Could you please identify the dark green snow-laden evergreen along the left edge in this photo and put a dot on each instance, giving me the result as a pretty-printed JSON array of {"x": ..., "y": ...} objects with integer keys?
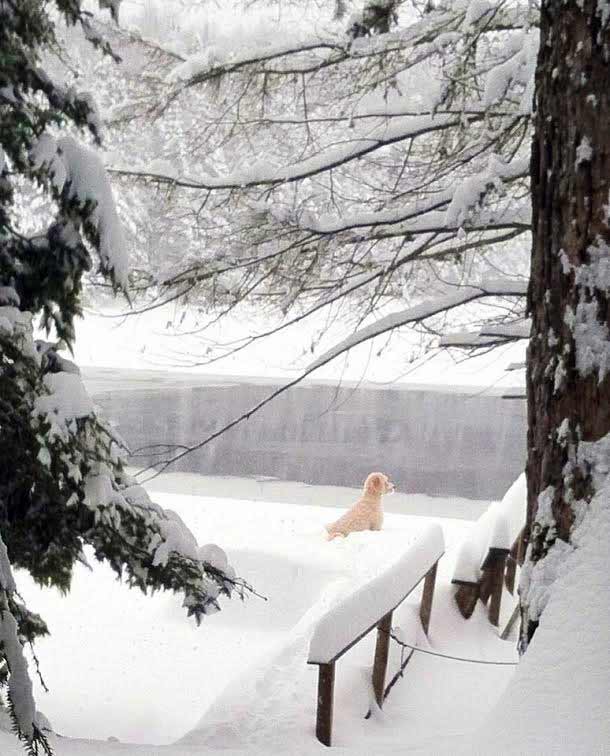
[{"x": 62, "y": 480}]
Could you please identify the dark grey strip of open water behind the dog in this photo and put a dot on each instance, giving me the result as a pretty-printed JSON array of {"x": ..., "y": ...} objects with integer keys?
[{"x": 428, "y": 441}]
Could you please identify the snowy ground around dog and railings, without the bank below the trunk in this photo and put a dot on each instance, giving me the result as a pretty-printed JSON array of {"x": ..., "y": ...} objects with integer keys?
[{"x": 121, "y": 665}]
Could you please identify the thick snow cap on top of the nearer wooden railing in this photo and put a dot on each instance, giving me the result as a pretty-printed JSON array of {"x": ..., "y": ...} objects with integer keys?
[{"x": 360, "y": 611}]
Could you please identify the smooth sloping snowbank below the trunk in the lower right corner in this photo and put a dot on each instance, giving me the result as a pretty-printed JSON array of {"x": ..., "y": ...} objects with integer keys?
[{"x": 557, "y": 701}]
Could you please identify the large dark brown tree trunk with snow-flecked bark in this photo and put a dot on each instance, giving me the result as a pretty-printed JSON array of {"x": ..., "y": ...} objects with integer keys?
[{"x": 568, "y": 377}]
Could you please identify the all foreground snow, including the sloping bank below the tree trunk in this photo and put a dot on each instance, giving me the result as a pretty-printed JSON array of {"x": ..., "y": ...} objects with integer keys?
[{"x": 128, "y": 667}]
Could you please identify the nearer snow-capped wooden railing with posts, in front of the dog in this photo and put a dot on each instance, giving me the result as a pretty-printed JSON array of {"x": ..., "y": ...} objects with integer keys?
[{"x": 372, "y": 606}]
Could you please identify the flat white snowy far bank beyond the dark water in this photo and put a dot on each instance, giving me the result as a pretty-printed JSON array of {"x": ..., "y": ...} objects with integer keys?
[{"x": 150, "y": 341}]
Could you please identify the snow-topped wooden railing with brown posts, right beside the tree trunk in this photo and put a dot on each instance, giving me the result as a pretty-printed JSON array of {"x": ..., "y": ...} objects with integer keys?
[{"x": 488, "y": 557}]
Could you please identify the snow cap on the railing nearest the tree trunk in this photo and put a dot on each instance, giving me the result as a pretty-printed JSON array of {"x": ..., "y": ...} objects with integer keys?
[{"x": 498, "y": 527}]
